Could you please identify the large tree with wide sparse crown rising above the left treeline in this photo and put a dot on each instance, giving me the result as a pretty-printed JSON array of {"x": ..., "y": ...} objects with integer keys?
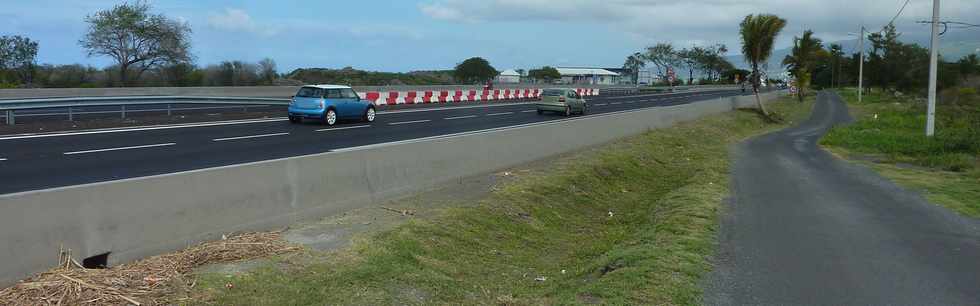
[{"x": 136, "y": 39}]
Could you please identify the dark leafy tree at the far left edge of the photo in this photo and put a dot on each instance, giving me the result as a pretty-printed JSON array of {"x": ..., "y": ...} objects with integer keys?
[{"x": 18, "y": 54}]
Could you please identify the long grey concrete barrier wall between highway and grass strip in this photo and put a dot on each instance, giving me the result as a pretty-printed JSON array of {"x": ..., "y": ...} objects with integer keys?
[{"x": 141, "y": 217}]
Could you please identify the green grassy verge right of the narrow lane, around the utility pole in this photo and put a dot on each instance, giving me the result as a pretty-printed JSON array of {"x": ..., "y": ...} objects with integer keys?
[{"x": 891, "y": 131}]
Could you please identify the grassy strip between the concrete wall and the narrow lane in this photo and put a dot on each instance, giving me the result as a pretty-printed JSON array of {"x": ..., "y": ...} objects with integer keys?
[{"x": 633, "y": 222}]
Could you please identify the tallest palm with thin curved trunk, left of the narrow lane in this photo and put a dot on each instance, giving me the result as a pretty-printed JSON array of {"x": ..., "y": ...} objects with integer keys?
[{"x": 758, "y": 35}]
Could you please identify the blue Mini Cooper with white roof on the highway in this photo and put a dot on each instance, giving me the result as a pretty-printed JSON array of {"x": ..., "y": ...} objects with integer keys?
[{"x": 329, "y": 103}]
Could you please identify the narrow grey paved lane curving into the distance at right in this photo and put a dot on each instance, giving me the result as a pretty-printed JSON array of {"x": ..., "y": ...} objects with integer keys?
[{"x": 805, "y": 228}]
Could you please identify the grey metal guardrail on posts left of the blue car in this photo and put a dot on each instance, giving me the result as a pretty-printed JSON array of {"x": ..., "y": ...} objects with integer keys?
[{"x": 10, "y": 107}]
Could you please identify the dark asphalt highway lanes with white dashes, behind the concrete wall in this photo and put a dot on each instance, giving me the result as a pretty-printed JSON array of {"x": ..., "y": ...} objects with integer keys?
[{"x": 32, "y": 162}]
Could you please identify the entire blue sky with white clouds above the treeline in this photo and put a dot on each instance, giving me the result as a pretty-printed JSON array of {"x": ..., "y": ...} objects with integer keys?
[{"x": 436, "y": 34}]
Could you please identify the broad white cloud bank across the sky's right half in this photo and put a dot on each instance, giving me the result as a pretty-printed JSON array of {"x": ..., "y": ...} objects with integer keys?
[{"x": 686, "y": 22}]
